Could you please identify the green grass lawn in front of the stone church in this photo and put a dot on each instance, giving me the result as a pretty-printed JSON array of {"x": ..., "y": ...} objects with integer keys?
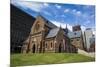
[{"x": 47, "y": 58}]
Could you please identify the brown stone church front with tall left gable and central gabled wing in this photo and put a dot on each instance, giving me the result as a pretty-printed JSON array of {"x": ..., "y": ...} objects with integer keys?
[{"x": 47, "y": 37}]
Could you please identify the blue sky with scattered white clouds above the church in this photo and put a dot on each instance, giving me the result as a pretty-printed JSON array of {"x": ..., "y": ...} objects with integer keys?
[{"x": 61, "y": 14}]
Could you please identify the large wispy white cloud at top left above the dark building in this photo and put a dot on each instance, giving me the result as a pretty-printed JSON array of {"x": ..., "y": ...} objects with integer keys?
[{"x": 27, "y": 4}]
